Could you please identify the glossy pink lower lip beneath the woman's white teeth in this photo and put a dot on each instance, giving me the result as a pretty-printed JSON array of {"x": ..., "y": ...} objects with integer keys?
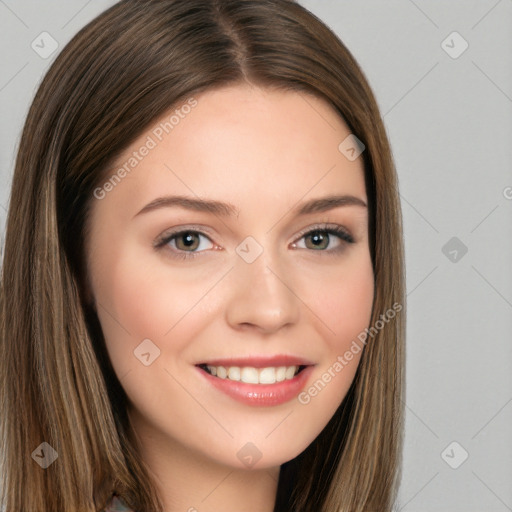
[{"x": 261, "y": 394}]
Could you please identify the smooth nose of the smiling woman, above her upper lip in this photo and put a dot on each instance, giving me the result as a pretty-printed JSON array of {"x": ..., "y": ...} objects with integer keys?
[{"x": 262, "y": 296}]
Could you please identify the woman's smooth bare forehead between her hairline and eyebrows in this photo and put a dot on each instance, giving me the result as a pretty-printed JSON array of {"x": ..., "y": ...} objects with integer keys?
[{"x": 249, "y": 146}]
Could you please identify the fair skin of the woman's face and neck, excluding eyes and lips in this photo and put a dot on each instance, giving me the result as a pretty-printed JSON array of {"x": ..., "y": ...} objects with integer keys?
[{"x": 264, "y": 151}]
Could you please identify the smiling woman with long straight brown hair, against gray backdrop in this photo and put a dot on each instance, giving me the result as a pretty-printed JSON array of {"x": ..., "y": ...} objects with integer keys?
[{"x": 202, "y": 288}]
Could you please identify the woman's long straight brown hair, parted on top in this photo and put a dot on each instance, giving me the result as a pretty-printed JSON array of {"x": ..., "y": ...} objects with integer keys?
[{"x": 118, "y": 75}]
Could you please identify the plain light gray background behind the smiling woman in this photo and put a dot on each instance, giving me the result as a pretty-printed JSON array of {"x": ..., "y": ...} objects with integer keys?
[{"x": 450, "y": 125}]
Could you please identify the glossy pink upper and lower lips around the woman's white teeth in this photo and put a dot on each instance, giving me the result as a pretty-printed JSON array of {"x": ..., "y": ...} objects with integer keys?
[{"x": 260, "y": 394}]
